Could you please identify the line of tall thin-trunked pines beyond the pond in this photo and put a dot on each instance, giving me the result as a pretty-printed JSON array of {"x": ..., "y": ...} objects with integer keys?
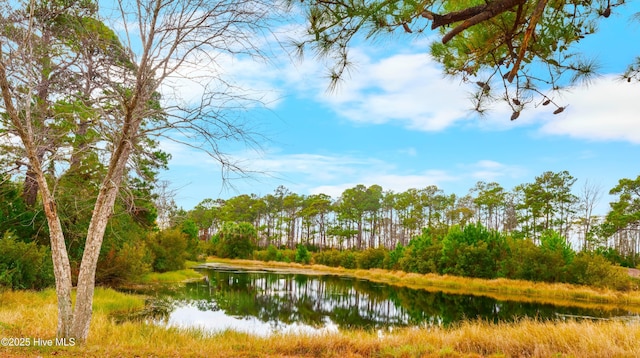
[{"x": 371, "y": 217}]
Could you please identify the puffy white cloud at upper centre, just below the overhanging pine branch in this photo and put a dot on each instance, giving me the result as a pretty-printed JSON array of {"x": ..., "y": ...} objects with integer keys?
[{"x": 404, "y": 88}]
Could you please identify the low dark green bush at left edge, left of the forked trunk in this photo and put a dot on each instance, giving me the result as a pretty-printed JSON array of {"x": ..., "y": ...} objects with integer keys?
[{"x": 24, "y": 265}]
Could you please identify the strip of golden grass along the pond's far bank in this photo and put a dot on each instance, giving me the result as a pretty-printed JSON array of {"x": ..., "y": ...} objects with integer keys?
[{"x": 500, "y": 289}]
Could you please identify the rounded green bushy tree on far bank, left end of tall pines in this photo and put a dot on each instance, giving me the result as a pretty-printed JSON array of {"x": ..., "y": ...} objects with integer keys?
[{"x": 236, "y": 240}]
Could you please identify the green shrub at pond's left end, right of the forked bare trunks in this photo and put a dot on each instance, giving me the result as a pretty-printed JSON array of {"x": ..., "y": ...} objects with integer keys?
[{"x": 168, "y": 248}]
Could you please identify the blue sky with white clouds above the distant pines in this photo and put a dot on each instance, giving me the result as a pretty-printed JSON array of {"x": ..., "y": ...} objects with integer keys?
[{"x": 396, "y": 121}]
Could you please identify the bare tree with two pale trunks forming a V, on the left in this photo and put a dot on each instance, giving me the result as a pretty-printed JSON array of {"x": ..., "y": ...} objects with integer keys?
[{"x": 123, "y": 73}]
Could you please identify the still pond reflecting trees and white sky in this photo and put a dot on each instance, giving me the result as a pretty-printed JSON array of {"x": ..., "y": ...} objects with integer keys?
[{"x": 265, "y": 302}]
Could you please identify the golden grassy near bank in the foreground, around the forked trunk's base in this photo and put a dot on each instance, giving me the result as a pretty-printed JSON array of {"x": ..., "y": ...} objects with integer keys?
[{"x": 33, "y": 315}]
